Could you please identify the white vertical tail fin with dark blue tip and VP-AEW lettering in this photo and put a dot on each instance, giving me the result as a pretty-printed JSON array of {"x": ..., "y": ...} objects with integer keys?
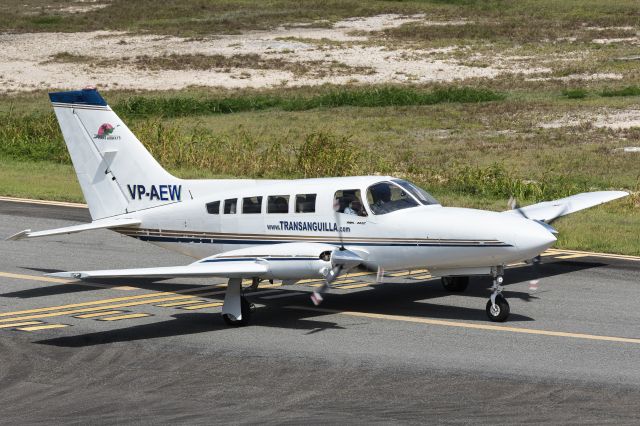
[{"x": 117, "y": 174}]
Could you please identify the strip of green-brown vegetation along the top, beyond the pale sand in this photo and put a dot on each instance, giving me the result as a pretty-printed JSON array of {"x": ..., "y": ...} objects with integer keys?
[{"x": 499, "y": 18}]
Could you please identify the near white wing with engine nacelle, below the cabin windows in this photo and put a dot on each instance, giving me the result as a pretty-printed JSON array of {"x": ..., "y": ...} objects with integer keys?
[{"x": 273, "y": 261}]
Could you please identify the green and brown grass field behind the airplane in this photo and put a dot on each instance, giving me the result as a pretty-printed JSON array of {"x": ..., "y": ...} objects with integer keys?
[{"x": 473, "y": 142}]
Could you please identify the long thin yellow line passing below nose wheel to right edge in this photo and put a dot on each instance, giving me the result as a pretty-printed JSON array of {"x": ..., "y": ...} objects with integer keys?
[{"x": 471, "y": 325}]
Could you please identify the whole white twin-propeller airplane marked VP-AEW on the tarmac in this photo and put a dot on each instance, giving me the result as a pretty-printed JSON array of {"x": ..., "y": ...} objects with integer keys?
[{"x": 288, "y": 229}]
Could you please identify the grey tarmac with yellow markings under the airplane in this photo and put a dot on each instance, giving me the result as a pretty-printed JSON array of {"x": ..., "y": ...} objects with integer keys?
[{"x": 403, "y": 351}]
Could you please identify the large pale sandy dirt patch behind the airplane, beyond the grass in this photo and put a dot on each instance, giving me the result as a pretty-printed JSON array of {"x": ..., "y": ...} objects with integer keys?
[{"x": 287, "y": 56}]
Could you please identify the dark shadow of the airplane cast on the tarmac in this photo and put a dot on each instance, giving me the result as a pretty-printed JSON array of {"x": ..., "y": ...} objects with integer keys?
[{"x": 403, "y": 299}]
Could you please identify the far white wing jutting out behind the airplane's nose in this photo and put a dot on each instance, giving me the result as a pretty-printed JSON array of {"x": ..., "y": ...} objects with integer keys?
[{"x": 551, "y": 210}]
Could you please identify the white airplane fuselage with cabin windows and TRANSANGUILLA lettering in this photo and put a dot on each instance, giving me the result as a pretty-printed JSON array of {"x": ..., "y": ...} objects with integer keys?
[{"x": 218, "y": 220}]
